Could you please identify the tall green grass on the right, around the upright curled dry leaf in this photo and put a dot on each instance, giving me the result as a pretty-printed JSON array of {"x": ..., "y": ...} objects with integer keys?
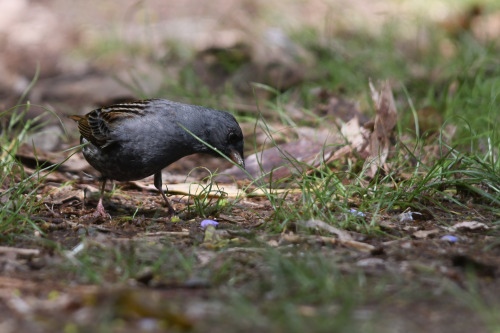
[{"x": 465, "y": 94}]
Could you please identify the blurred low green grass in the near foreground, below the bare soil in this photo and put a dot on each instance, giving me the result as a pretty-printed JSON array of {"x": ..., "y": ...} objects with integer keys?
[{"x": 267, "y": 289}]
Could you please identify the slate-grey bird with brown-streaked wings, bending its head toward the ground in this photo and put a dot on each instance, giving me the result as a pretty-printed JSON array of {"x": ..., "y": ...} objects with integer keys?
[{"x": 134, "y": 140}]
